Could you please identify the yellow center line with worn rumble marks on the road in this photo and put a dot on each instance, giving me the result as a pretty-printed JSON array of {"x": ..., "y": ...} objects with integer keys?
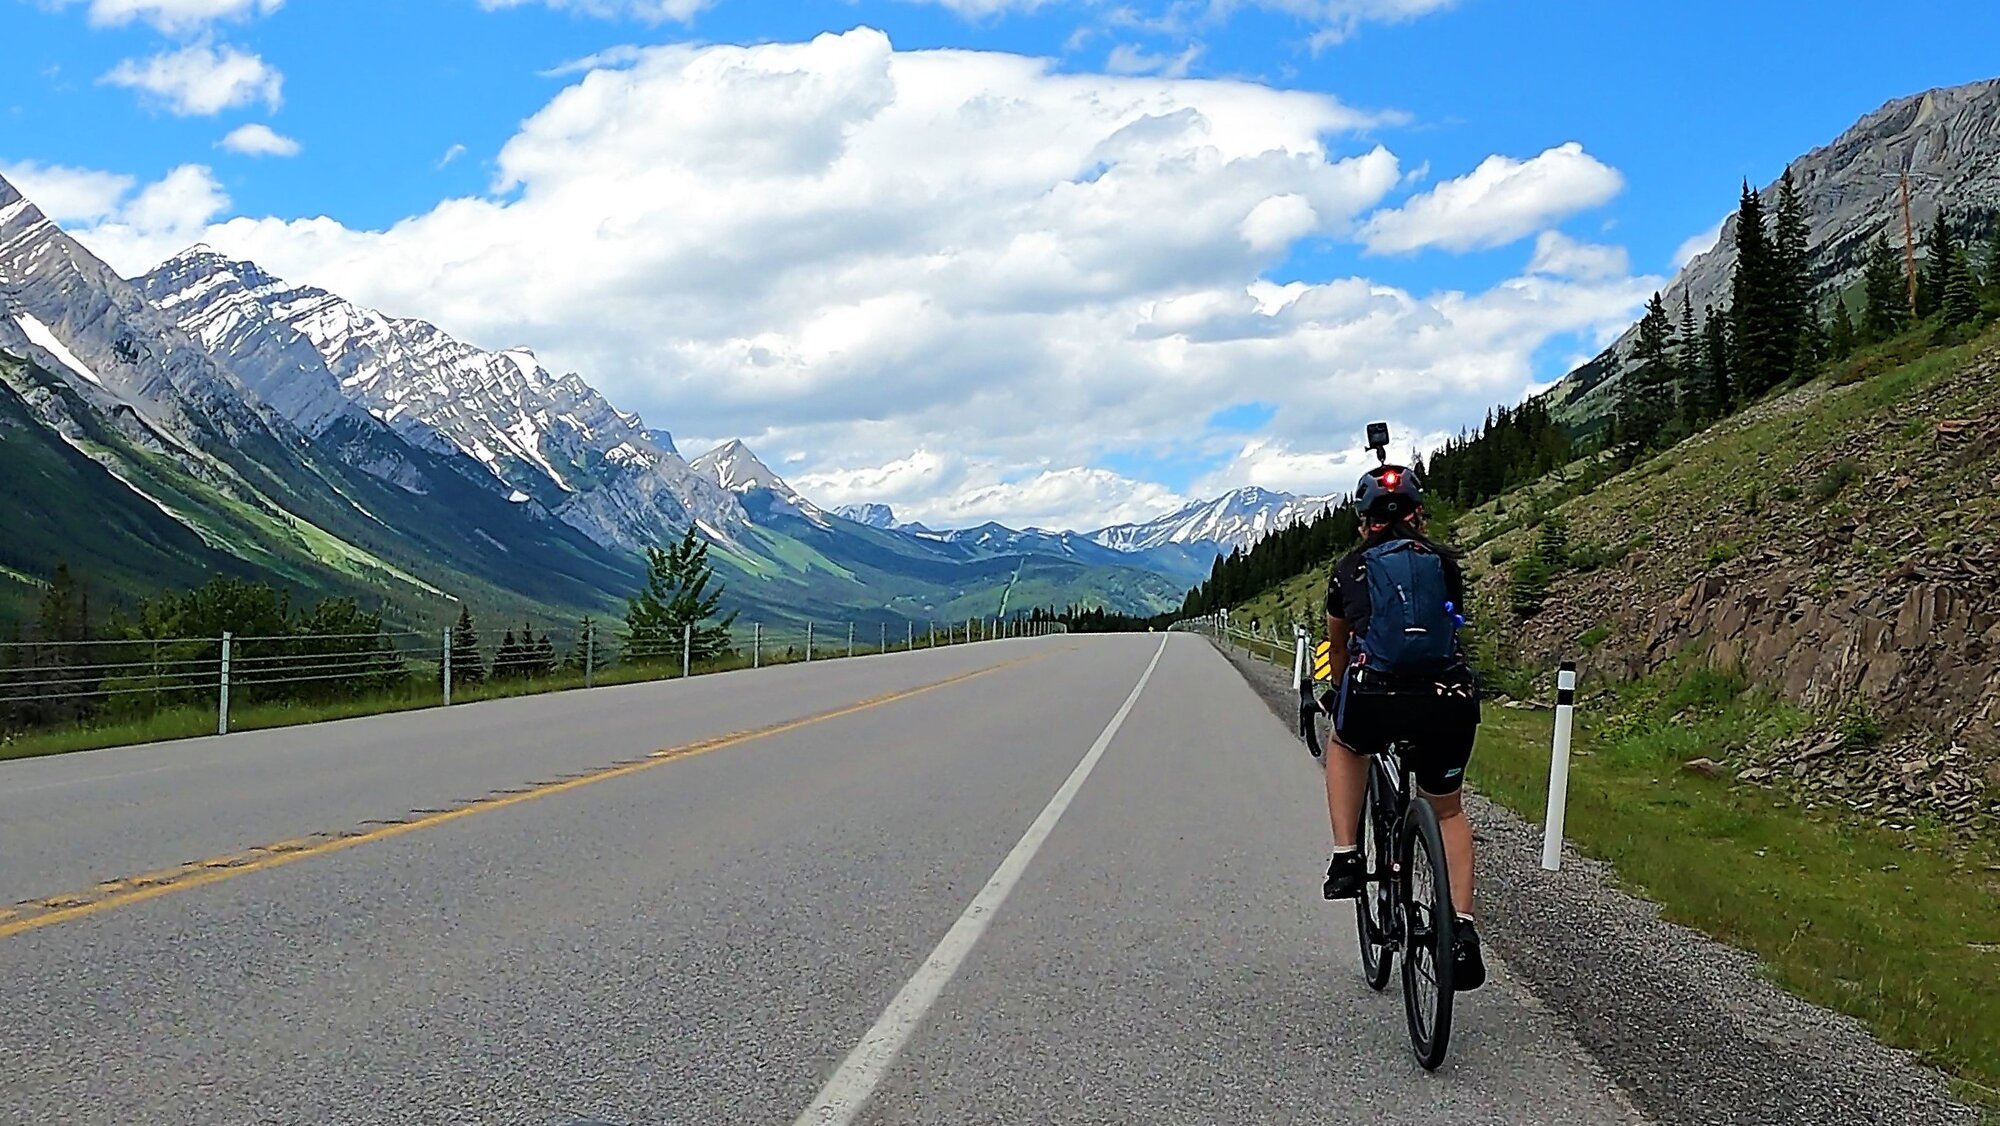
[{"x": 109, "y": 895}]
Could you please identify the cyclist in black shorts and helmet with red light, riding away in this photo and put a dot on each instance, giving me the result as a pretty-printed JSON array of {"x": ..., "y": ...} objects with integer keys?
[{"x": 1433, "y": 713}]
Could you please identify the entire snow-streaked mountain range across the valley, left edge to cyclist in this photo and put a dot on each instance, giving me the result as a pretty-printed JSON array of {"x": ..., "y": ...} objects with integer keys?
[{"x": 211, "y": 419}]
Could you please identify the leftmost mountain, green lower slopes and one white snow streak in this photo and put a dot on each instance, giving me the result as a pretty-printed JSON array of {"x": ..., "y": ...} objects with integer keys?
[{"x": 155, "y": 461}]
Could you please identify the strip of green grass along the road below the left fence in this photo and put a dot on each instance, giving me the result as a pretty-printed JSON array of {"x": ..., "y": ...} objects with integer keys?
[{"x": 195, "y": 721}]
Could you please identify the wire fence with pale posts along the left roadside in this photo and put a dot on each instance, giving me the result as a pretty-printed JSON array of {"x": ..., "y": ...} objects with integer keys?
[{"x": 101, "y": 683}]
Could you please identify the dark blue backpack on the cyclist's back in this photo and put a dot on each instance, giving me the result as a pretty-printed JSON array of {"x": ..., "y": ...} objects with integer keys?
[{"x": 1411, "y": 631}]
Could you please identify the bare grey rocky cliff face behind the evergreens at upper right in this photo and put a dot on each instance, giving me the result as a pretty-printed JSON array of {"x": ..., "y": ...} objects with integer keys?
[{"x": 1947, "y": 141}]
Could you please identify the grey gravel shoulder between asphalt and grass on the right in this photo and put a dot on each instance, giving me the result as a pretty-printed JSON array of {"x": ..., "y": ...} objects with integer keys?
[{"x": 1689, "y": 1027}]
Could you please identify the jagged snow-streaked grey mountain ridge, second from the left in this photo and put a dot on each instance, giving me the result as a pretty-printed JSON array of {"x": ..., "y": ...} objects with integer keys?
[{"x": 545, "y": 439}]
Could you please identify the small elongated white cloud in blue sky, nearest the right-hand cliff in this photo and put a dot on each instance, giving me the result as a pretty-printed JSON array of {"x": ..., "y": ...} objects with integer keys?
[{"x": 1497, "y": 203}]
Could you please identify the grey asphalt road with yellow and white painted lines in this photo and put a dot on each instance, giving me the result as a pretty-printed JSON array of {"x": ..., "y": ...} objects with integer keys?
[{"x": 1029, "y": 913}]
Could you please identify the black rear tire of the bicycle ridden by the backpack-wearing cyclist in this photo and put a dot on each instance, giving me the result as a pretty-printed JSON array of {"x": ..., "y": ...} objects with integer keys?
[{"x": 1427, "y": 935}]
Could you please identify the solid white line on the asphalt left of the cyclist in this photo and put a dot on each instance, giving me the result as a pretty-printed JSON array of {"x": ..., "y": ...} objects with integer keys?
[{"x": 847, "y": 1093}]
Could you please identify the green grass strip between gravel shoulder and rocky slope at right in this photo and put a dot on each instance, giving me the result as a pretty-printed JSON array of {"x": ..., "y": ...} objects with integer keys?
[{"x": 1899, "y": 931}]
